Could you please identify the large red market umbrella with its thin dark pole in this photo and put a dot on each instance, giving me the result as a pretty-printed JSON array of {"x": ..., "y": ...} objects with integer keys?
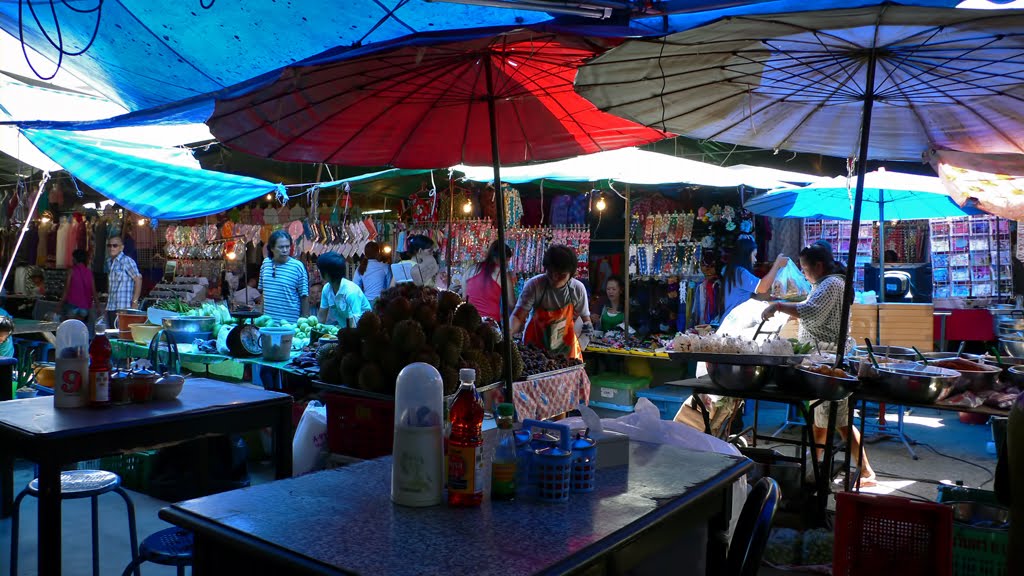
[{"x": 501, "y": 98}]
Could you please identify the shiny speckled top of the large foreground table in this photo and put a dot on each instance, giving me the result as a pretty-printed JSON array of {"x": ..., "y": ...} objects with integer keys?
[{"x": 344, "y": 520}]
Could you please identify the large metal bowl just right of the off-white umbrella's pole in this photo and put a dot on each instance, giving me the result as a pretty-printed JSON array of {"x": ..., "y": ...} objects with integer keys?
[{"x": 912, "y": 384}]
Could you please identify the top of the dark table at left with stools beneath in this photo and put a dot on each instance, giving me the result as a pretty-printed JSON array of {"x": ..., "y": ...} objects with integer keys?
[{"x": 38, "y": 418}]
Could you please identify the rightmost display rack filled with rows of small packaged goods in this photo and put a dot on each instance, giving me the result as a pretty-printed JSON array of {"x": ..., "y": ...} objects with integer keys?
[{"x": 971, "y": 258}]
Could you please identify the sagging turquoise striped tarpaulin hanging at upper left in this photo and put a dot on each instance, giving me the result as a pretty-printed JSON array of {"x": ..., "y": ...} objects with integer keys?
[{"x": 153, "y": 189}]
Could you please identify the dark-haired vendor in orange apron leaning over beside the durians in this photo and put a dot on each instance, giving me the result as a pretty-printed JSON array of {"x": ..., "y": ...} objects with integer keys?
[{"x": 552, "y": 302}]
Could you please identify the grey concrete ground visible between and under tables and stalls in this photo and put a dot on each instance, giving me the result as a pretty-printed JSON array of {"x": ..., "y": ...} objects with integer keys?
[{"x": 899, "y": 474}]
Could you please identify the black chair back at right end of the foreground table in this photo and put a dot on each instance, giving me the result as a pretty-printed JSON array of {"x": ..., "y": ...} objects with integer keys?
[{"x": 753, "y": 528}]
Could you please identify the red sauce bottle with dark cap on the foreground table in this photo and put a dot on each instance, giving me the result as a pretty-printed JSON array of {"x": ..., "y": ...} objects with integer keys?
[{"x": 465, "y": 445}]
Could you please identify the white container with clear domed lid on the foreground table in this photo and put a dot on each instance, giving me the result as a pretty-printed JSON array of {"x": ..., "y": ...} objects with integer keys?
[{"x": 417, "y": 462}]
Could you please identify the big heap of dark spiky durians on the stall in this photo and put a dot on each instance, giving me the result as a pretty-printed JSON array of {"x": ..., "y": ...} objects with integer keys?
[{"x": 416, "y": 324}]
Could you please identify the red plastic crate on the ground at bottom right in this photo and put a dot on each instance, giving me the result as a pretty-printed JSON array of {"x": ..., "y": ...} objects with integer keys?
[{"x": 891, "y": 536}]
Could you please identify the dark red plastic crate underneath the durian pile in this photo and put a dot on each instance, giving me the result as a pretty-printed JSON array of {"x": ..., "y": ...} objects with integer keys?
[{"x": 359, "y": 427}]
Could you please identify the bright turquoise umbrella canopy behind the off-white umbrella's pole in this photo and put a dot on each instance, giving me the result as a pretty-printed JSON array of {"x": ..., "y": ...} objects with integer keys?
[{"x": 901, "y": 197}]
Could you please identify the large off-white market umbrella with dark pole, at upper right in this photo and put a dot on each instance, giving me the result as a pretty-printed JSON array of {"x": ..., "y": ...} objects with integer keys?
[{"x": 819, "y": 81}]
